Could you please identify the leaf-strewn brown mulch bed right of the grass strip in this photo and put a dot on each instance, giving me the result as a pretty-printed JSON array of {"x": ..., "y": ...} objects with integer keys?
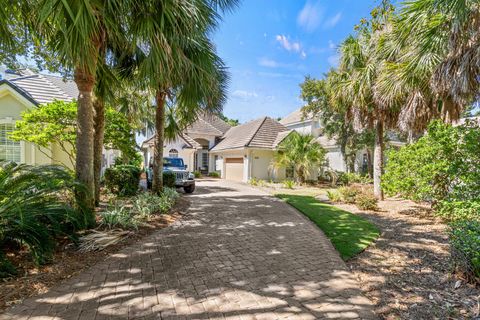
[{"x": 408, "y": 273}]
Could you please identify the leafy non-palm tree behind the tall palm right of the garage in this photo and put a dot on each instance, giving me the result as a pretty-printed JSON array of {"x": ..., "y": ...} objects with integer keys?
[{"x": 334, "y": 120}]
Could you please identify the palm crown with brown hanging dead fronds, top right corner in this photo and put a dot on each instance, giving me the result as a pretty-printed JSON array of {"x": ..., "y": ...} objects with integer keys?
[{"x": 448, "y": 32}]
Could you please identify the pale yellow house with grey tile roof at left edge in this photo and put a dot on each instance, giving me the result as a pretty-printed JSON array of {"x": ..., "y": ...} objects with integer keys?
[{"x": 21, "y": 91}]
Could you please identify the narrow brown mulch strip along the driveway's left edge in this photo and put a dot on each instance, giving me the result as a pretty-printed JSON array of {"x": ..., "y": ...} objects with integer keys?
[{"x": 68, "y": 262}]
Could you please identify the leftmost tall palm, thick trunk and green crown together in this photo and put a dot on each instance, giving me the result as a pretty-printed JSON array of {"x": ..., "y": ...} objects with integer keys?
[{"x": 75, "y": 34}]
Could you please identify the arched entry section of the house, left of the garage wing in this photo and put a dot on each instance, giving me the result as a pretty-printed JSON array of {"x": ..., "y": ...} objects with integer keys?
[{"x": 193, "y": 144}]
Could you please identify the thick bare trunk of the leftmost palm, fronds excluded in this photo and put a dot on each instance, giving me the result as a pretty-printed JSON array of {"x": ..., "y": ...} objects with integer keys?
[{"x": 85, "y": 81}]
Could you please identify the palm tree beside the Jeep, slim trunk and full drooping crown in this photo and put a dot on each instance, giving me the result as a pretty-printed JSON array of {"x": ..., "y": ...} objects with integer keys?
[{"x": 179, "y": 61}]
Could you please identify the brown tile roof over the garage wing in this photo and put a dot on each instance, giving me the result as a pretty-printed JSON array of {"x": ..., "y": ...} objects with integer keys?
[{"x": 259, "y": 133}]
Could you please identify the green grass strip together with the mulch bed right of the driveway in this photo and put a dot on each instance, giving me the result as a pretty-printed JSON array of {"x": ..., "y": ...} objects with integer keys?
[{"x": 407, "y": 272}]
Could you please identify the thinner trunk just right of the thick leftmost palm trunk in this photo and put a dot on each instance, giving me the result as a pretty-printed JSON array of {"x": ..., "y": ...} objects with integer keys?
[{"x": 99, "y": 120}]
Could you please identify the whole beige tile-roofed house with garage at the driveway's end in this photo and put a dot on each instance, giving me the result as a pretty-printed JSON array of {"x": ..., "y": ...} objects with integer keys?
[{"x": 236, "y": 153}]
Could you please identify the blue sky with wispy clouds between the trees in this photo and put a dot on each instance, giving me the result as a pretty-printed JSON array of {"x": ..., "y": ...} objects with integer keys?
[{"x": 270, "y": 45}]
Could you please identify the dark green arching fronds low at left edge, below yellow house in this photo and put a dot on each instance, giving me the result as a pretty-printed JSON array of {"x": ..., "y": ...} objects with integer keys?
[{"x": 36, "y": 207}]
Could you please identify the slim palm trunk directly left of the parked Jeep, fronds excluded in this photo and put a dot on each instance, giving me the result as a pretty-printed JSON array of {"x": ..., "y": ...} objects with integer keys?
[{"x": 160, "y": 98}]
